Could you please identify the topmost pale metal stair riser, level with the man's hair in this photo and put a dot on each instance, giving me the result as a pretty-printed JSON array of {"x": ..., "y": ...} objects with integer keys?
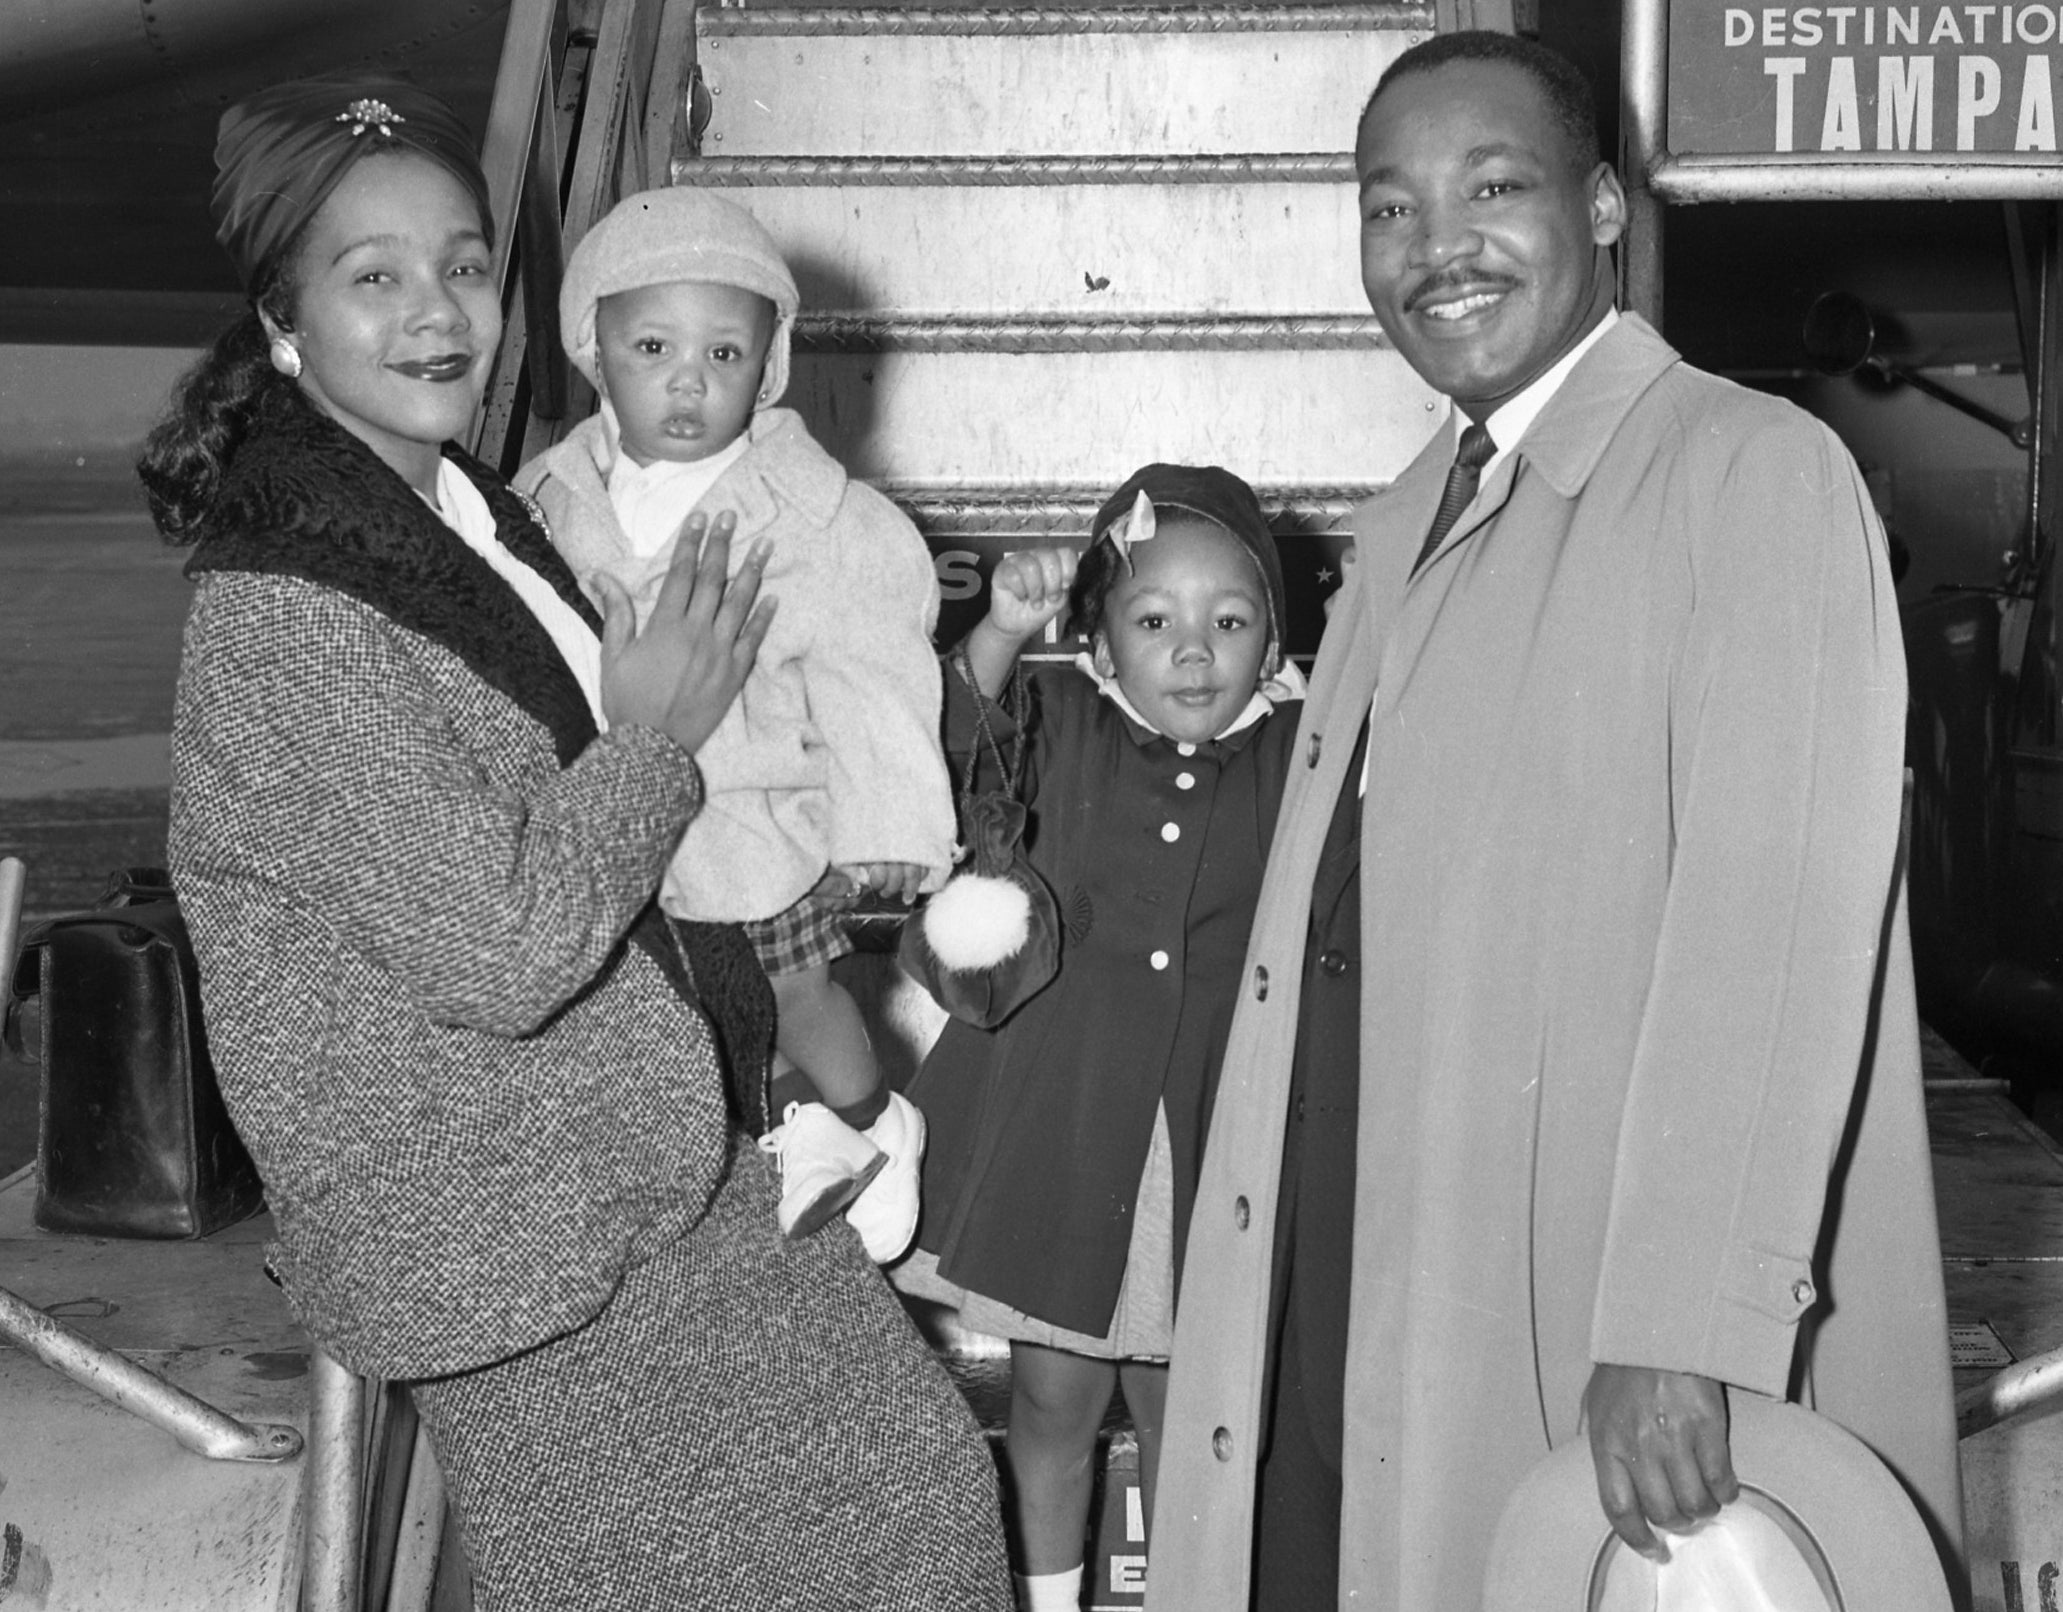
[{"x": 1045, "y": 82}]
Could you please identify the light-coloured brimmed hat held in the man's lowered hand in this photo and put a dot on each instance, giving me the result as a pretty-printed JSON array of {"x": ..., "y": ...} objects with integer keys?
[{"x": 1821, "y": 1526}]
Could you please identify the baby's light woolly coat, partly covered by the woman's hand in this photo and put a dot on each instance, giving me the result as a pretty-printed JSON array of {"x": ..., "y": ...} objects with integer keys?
[{"x": 832, "y": 750}]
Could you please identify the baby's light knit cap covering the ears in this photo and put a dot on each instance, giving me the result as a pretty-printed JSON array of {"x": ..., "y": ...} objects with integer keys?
[{"x": 676, "y": 234}]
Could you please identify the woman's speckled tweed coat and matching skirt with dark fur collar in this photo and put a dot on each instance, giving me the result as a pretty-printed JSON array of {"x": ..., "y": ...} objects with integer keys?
[{"x": 486, "y": 1105}]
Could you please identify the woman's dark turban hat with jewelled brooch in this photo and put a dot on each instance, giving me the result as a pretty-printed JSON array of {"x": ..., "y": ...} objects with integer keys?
[{"x": 280, "y": 154}]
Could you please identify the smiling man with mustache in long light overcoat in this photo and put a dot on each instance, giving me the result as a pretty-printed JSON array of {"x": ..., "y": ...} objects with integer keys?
[{"x": 1594, "y": 841}]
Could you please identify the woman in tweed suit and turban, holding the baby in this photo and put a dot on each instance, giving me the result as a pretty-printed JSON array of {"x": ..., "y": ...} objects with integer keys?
[{"x": 461, "y": 1043}]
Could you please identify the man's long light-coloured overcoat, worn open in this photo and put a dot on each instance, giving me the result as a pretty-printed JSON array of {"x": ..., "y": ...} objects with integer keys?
[{"x": 1639, "y": 1054}]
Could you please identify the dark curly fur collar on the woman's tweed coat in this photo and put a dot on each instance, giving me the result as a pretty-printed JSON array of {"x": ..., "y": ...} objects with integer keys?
[{"x": 306, "y": 498}]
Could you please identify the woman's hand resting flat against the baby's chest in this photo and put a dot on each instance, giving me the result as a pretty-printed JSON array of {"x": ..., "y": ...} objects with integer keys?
[{"x": 682, "y": 674}]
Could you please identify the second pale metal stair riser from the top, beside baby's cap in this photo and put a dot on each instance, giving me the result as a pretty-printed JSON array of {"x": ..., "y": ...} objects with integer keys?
[{"x": 1270, "y": 249}]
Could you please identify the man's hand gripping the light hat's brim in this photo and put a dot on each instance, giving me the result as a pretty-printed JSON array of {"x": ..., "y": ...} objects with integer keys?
[{"x": 1660, "y": 1442}]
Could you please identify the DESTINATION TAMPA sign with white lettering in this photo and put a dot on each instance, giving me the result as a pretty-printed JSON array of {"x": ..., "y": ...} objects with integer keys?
[{"x": 1864, "y": 82}]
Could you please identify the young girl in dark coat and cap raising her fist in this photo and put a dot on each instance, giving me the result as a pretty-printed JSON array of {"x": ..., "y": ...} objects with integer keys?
[{"x": 1066, "y": 1142}]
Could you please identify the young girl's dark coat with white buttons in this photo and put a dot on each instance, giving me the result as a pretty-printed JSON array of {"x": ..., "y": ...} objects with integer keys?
[{"x": 1039, "y": 1130}]
